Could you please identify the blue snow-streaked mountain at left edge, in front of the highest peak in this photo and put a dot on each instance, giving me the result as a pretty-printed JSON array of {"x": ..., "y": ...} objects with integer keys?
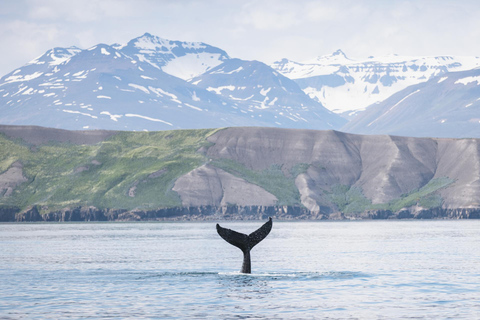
[{"x": 102, "y": 88}]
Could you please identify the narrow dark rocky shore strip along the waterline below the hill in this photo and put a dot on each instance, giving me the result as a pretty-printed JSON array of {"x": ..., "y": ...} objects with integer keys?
[{"x": 206, "y": 213}]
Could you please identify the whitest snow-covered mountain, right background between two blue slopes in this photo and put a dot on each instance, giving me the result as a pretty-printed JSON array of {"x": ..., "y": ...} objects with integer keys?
[{"x": 347, "y": 86}]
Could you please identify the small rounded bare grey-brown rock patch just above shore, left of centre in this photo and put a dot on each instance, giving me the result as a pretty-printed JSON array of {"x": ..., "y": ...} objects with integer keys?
[{"x": 208, "y": 185}]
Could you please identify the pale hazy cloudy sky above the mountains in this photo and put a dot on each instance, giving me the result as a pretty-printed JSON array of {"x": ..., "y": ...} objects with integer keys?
[{"x": 265, "y": 30}]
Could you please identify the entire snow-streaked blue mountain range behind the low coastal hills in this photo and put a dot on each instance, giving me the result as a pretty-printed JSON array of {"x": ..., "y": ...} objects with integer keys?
[{"x": 151, "y": 83}]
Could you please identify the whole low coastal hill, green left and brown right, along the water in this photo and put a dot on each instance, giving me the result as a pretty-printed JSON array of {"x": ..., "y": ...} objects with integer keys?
[{"x": 241, "y": 173}]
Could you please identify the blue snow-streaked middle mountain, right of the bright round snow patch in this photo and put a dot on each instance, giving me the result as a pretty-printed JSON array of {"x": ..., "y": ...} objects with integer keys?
[{"x": 257, "y": 90}]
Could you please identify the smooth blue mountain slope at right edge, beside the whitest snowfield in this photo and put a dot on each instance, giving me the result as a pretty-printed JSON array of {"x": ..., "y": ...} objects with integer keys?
[{"x": 445, "y": 106}]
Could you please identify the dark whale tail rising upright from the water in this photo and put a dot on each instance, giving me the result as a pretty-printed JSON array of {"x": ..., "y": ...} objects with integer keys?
[{"x": 244, "y": 242}]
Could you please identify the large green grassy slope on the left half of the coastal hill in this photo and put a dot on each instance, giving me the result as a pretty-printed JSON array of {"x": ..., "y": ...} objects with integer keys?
[{"x": 101, "y": 175}]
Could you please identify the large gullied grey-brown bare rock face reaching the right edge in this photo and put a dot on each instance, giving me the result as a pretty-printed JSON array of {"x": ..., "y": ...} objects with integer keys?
[{"x": 383, "y": 167}]
